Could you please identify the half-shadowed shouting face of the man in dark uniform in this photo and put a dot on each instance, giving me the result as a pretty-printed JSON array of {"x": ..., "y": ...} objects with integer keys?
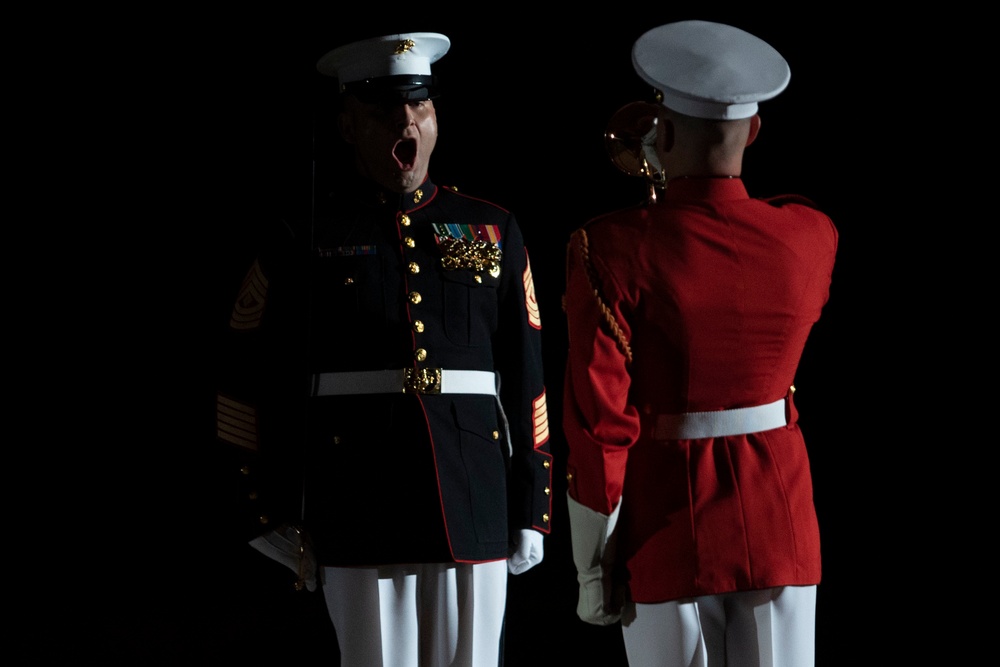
[{"x": 393, "y": 142}]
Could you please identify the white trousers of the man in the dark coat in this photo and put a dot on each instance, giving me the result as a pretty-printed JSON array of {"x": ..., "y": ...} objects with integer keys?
[{"x": 421, "y": 615}]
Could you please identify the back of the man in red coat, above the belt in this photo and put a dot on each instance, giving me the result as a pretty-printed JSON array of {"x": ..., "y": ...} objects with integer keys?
[{"x": 718, "y": 292}]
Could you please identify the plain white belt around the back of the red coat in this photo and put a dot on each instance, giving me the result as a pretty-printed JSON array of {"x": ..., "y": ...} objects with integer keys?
[{"x": 717, "y": 423}]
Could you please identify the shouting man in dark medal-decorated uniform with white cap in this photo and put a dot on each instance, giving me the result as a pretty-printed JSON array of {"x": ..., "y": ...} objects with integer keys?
[{"x": 397, "y": 449}]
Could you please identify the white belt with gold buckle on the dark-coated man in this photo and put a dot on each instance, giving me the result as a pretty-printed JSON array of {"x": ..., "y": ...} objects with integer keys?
[{"x": 405, "y": 380}]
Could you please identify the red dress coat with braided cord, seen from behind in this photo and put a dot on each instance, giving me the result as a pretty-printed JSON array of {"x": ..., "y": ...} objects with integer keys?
[{"x": 701, "y": 301}]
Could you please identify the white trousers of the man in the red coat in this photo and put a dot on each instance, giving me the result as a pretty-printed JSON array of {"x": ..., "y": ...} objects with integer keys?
[{"x": 774, "y": 627}]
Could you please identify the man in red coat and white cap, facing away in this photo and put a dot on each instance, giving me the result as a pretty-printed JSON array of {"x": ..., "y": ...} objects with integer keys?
[{"x": 690, "y": 492}]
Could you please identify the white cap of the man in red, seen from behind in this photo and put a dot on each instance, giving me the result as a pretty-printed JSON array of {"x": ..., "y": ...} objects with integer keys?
[{"x": 709, "y": 70}]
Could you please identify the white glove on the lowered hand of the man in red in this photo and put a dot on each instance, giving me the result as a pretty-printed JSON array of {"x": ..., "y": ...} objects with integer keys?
[{"x": 593, "y": 540}]
